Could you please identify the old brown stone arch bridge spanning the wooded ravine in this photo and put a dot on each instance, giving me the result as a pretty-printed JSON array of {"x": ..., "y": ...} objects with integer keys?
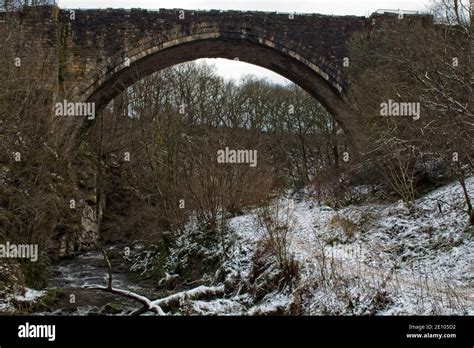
[{"x": 93, "y": 55}]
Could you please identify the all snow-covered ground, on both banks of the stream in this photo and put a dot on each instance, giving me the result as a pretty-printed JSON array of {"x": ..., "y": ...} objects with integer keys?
[{"x": 368, "y": 259}]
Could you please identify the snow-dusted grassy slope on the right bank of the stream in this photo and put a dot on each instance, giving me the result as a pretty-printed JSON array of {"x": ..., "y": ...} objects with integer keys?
[{"x": 368, "y": 259}]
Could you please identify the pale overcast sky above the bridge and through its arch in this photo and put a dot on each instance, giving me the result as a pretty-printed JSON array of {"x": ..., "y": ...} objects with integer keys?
[{"x": 231, "y": 69}]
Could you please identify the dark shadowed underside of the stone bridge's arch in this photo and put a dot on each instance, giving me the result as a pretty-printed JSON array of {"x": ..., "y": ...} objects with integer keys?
[{"x": 247, "y": 51}]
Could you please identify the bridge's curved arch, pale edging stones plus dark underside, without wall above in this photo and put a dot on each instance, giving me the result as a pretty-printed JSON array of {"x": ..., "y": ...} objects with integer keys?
[{"x": 151, "y": 55}]
